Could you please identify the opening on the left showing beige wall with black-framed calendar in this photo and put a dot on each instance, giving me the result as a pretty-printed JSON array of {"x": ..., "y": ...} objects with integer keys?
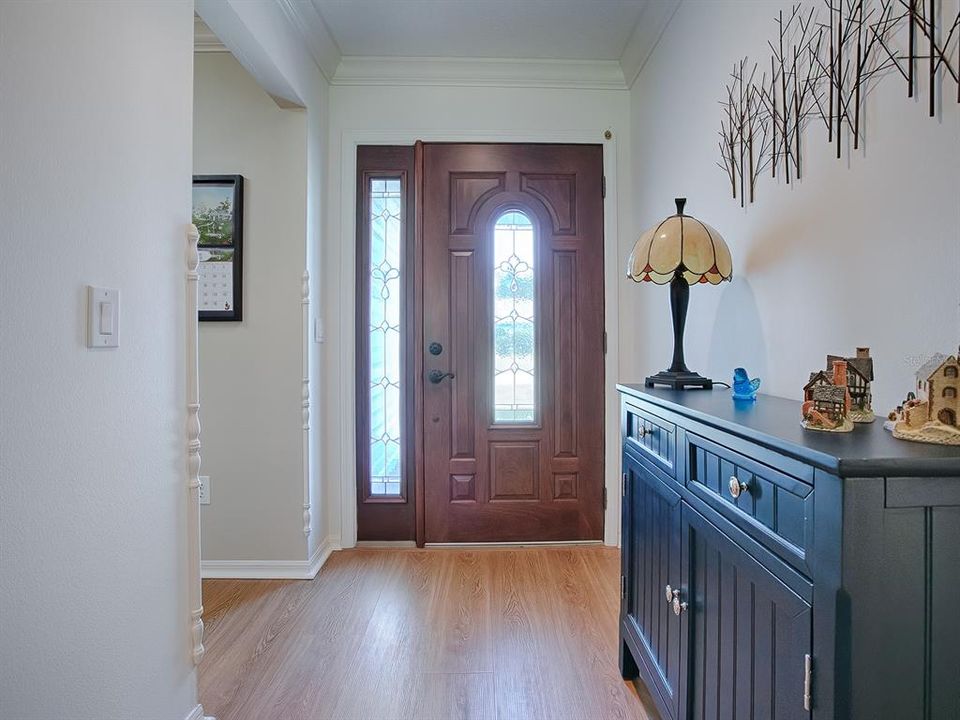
[{"x": 252, "y": 369}]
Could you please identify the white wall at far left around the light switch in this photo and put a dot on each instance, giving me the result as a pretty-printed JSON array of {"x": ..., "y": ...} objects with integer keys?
[{"x": 94, "y": 189}]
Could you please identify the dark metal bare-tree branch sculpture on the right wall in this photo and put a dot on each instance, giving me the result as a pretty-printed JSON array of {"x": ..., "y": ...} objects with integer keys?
[{"x": 823, "y": 64}]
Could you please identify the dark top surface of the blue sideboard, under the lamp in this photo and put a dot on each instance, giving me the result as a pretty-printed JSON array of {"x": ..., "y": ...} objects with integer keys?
[{"x": 868, "y": 451}]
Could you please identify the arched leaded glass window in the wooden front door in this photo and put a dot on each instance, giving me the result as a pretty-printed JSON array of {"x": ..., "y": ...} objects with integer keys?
[{"x": 514, "y": 319}]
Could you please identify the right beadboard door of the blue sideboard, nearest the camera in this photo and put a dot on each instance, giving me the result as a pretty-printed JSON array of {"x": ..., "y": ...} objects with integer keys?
[{"x": 748, "y": 632}]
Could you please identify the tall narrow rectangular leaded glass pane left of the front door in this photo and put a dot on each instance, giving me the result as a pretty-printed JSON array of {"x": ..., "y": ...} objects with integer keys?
[{"x": 386, "y": 227}]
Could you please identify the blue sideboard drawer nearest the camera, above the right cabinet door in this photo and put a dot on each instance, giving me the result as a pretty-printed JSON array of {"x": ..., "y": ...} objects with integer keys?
[{"x": 773, "y": 507}]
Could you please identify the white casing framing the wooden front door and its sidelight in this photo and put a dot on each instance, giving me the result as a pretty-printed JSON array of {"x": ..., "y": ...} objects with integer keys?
[{"x": 345, "y": 496}]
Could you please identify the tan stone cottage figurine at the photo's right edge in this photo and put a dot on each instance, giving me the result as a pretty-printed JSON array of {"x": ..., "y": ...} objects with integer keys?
[{"x": 930, "y": 414}]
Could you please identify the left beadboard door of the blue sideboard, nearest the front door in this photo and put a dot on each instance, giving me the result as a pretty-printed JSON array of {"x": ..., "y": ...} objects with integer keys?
[{"x": 652, "y": 561}]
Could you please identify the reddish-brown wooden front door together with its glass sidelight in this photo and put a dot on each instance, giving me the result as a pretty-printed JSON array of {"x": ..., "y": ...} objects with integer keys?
[{"x": 480, "y": 343}]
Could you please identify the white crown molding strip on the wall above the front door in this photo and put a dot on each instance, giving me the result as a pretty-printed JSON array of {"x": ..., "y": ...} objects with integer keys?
[{"x": 480, "y": 72}]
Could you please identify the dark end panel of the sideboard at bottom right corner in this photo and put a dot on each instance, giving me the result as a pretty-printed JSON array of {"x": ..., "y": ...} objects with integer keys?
[{"x": 909, "y": 528}]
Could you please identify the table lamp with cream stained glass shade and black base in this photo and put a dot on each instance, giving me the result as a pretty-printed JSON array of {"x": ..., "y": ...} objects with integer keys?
[{"x": 680, "y": 251}]
